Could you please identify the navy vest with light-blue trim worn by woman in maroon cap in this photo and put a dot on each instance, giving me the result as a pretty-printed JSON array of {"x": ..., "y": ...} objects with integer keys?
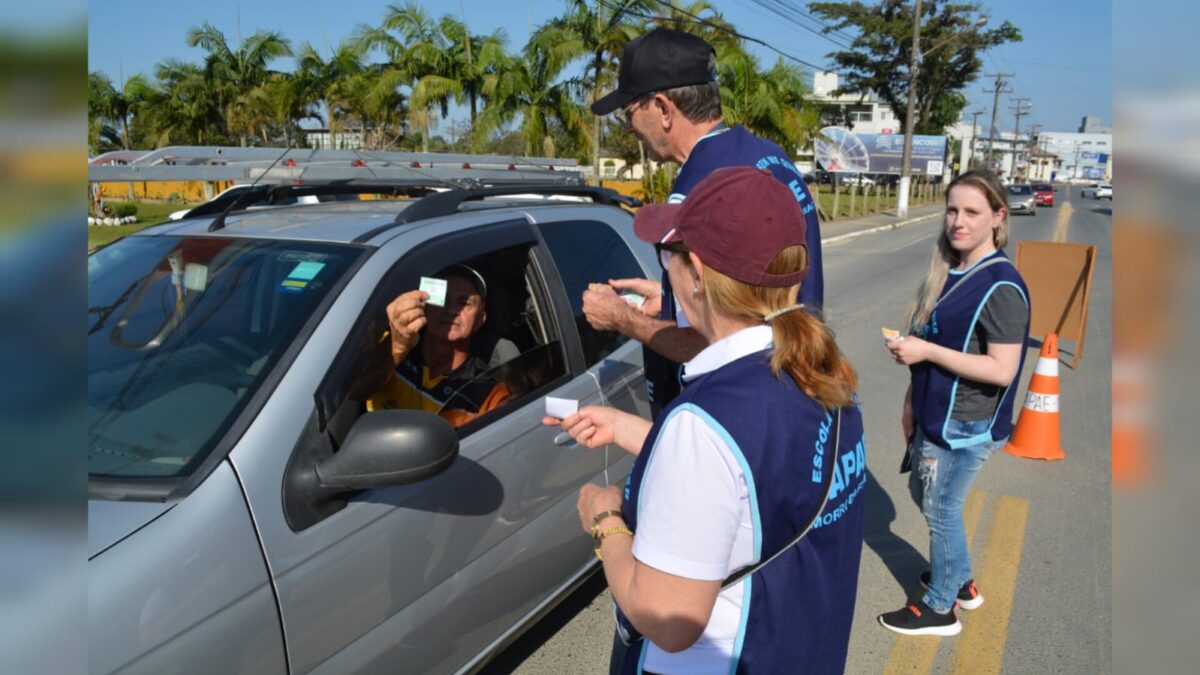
[{"x": 796, "y": 611}]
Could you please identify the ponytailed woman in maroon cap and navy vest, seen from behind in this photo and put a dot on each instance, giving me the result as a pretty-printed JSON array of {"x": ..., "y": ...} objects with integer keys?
[{"x": 735, "y": 545}]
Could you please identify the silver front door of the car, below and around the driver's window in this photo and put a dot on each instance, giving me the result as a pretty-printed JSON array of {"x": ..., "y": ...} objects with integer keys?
[{"x": 425, "y": 577}]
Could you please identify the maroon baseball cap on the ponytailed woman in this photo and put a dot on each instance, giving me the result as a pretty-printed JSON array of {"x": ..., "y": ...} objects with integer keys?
[{"x": 737, "y": 220}]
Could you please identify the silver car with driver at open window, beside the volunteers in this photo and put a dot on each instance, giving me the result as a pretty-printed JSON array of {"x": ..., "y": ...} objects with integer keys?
[{"x": 248, "y": 516}]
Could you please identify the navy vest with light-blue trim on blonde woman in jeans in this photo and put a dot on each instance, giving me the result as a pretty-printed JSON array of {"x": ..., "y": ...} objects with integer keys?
[{"x": 951, "y": 326}]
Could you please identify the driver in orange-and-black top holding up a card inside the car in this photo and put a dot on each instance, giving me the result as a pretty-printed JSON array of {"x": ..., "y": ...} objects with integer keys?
[{"x": 435, "y": 368}]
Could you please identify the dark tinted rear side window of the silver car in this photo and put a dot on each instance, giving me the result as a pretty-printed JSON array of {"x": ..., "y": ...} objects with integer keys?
[{"x": 590, "y": 253}]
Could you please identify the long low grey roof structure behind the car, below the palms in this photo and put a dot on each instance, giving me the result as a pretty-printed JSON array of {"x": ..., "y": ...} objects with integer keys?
[{"x": 301, "y": 166}]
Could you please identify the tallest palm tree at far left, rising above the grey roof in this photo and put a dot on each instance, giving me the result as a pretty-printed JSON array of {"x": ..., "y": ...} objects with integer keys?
[{"x": 235, "y": 74}]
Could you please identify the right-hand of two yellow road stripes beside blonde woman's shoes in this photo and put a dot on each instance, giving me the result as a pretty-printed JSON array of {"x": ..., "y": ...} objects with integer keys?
[{"x": 981, "y": 648}]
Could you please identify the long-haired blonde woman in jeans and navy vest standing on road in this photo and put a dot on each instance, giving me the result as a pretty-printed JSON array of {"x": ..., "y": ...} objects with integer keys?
[{"x": 968, "y": 332}]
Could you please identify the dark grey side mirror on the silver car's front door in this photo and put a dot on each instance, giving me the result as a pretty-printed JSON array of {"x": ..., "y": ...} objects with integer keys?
[{"x": 391, "y": 449}]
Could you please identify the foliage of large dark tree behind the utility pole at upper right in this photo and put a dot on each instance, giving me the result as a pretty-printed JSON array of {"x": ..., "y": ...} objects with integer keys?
[{"x": 880, "y": 57}]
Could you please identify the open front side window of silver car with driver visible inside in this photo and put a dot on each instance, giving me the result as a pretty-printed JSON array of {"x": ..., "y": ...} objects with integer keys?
[{"x": 493, "y": 321}]
